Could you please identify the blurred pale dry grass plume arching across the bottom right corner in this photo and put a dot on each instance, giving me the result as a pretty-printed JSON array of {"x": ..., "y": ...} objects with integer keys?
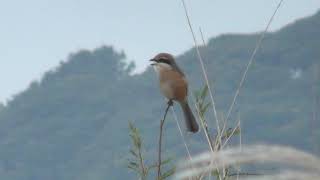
[{"x": 207, "y": 162}]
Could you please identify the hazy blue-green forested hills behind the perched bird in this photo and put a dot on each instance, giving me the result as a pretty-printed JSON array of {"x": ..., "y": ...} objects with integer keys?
[{"x": 73, "y": 124}]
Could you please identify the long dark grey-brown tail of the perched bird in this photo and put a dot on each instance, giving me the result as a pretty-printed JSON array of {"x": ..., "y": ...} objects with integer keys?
[{"x": 191, "y": 122}]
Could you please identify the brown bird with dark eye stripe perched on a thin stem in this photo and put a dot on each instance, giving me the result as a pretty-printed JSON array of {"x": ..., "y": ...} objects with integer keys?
[{"x": 174, "y": 86}]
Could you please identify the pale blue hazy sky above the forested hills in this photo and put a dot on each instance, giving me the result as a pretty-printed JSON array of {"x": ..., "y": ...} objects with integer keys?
[{"x": 36, "y": 34}]
